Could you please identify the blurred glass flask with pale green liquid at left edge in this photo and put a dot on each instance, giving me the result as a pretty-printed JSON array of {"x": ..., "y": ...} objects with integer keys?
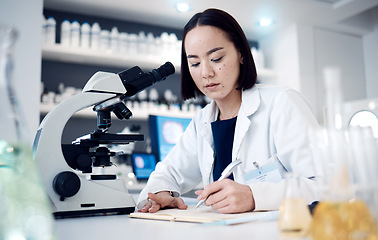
[{"x": 24, "y": 207}]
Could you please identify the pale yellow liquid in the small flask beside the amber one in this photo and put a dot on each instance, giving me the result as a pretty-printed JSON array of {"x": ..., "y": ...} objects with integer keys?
[{"x": 295, "y": 218}]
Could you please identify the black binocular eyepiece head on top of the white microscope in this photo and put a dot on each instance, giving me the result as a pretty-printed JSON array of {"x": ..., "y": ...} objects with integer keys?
[{"x": 135, "y": 80}]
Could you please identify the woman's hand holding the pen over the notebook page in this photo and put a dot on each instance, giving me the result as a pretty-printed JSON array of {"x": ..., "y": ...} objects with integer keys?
[{"x": 228, "y": 196}]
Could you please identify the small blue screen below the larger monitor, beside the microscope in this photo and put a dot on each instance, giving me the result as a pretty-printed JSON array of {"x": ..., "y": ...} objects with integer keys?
[{"x": 143, "y": 165}]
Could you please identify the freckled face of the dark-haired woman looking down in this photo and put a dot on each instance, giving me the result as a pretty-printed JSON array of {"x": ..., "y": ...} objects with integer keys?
[{"x": 213, "y": 61}]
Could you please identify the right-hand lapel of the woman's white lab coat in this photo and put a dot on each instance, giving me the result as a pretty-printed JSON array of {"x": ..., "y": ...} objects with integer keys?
[{"x": 250, "y": 104}]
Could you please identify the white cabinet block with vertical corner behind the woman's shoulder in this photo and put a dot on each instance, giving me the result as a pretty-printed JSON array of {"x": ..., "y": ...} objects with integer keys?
[{"x": 290, "y": 52}]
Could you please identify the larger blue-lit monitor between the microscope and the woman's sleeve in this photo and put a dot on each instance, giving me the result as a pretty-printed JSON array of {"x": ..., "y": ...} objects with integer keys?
[{"x": 165, "y": 133}]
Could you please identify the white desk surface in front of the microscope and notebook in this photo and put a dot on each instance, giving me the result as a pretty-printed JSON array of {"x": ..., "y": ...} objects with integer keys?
[{"x": 123, "y": 227}]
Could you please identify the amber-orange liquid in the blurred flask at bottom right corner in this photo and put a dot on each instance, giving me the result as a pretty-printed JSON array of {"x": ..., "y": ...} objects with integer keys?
[{"x": 350, "y": 220}]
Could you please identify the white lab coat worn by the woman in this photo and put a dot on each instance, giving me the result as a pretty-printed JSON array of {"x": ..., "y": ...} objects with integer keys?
[{"x": 271, "y": 120}]
